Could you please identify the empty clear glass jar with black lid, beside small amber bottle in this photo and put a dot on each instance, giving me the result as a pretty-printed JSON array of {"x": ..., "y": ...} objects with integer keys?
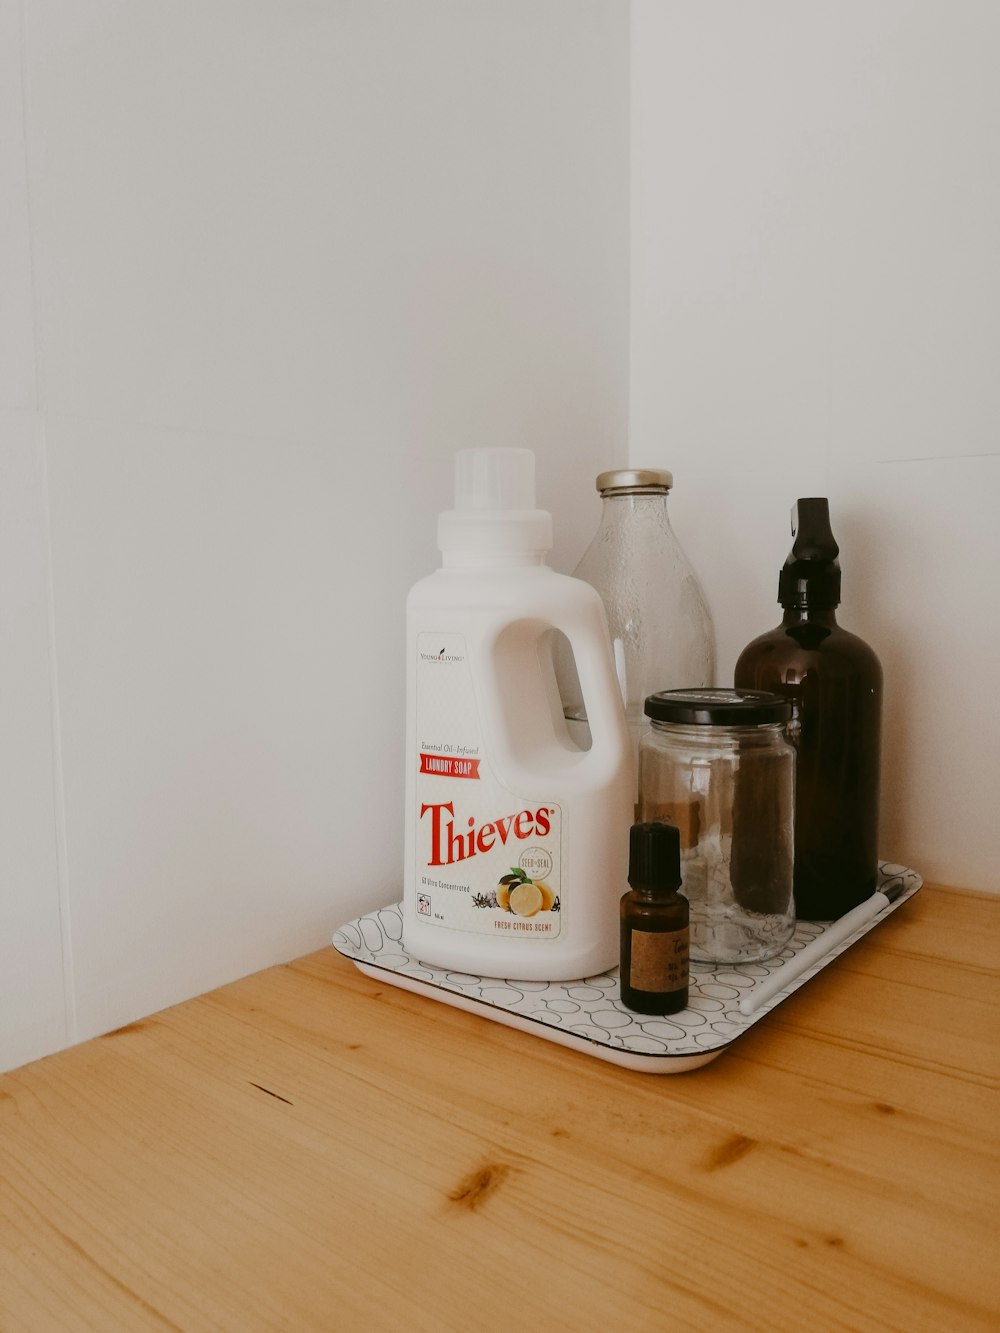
[{"x": 717, "y": 764}]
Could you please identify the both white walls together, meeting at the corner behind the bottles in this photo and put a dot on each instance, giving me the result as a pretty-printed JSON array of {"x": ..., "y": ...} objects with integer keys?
[{"x": 265, "y": 266}]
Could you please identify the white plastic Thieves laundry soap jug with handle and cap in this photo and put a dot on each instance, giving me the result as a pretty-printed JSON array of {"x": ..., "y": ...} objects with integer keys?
[{"x": 517, "y": 842}]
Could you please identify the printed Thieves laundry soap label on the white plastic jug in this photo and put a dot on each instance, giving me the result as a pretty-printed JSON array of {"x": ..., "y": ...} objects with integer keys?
[{"x": 486, "y": 860}]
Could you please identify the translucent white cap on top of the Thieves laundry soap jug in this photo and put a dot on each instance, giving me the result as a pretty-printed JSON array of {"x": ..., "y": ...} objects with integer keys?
[{"x": 495, "y": 505}]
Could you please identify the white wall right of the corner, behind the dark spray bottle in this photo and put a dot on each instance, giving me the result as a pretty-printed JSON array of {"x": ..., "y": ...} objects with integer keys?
[{"x": 817, "y": 311}]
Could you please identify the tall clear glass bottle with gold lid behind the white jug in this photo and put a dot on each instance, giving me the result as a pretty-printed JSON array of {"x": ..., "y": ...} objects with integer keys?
[{"x": 661, "y": 627}]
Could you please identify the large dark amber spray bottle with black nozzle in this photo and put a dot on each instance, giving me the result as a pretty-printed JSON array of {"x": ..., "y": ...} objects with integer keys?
[{"x": 834, "y": 683}]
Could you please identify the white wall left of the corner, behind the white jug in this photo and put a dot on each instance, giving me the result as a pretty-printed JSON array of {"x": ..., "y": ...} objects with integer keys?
[{"x": 265, "y": 267}]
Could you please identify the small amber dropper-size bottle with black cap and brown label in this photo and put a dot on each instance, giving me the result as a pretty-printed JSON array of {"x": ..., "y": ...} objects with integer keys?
[{"x": 655, "y": 923}]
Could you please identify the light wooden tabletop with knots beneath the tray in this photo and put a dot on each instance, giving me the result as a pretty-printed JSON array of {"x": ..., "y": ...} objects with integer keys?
[{"x": 310, "y": 1150}]
